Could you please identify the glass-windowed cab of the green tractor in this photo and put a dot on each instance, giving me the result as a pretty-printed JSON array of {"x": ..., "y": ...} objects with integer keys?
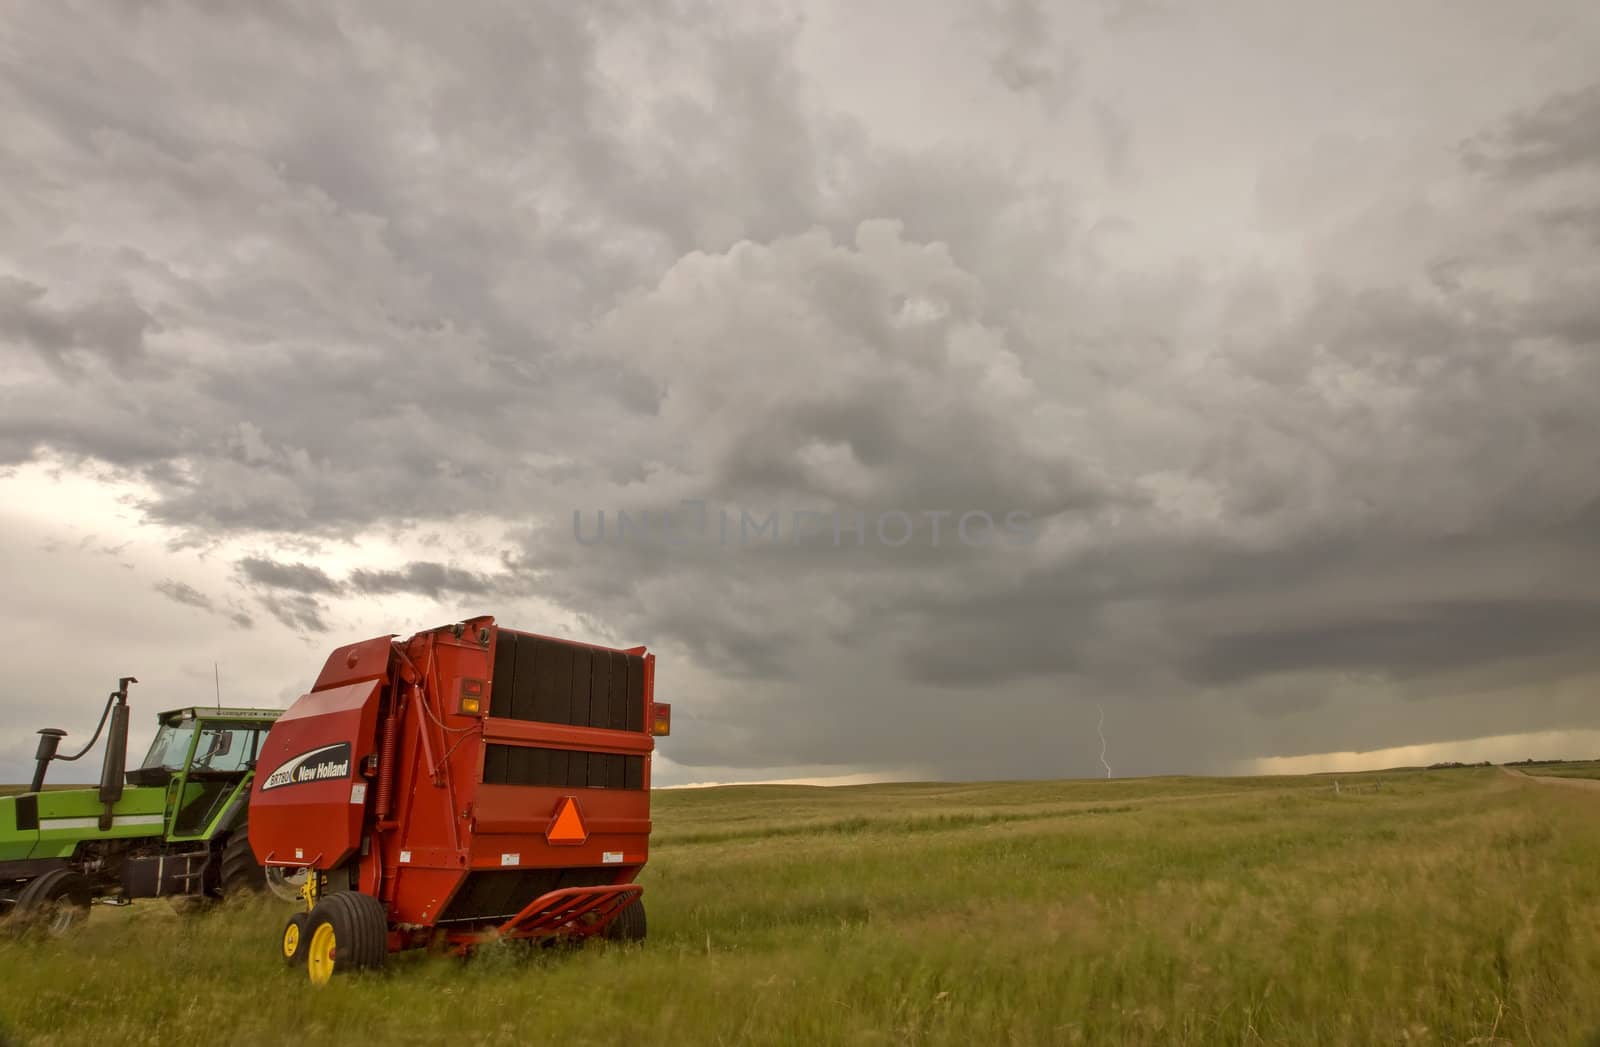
[{"x": 201, "y": 756}]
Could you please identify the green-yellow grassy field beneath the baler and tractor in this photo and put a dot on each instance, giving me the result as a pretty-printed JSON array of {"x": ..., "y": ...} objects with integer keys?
[{"x": 1455, "y": 907}]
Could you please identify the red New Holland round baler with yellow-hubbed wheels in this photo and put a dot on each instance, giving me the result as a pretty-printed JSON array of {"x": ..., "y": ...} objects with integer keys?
[{"x": 466, "y": 785}]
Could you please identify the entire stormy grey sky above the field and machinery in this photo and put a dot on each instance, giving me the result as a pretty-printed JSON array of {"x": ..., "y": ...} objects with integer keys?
[{"x": 1274, "y": 329}]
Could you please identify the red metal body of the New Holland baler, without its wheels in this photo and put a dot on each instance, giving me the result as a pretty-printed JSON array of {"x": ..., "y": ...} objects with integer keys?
[{"x": 415, "y": 819}]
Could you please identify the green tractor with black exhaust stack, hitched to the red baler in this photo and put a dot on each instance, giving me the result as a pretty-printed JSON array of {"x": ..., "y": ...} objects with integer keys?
[{"x": 172, "y": 828}]
